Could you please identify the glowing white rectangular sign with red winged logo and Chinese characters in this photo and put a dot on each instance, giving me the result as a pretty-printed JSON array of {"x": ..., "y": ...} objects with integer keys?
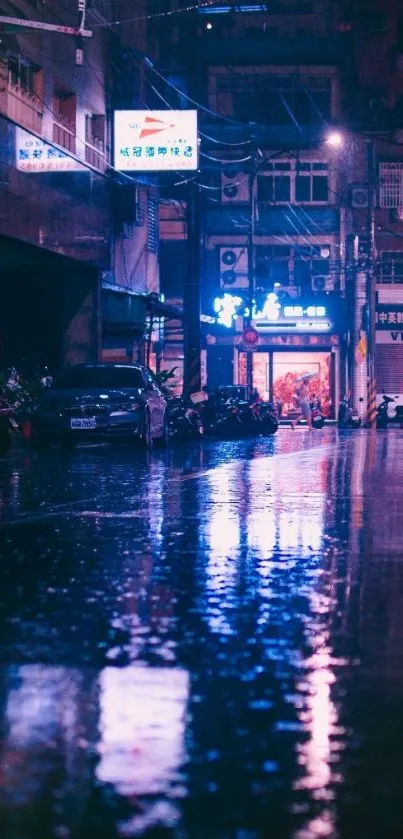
[{"x": 155, "y": 140}]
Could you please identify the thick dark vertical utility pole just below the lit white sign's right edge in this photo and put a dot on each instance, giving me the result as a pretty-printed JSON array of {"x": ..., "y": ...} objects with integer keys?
[{"x": 191, "y": 296}]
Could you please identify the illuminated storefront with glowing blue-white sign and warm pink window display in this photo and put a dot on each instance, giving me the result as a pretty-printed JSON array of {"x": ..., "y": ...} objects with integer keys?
[{"x": 294, "y": 337}]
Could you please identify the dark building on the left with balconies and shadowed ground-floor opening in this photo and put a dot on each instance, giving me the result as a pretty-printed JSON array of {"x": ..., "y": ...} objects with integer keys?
[{"x": 79, "y": 242}]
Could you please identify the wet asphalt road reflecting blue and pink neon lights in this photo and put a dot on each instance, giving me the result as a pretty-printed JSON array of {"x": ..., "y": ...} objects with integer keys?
[{"x": 203, "y": 643}]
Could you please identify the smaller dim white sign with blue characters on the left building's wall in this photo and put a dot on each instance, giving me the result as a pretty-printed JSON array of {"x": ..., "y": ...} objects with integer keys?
[{"x": 34, "y": 155}]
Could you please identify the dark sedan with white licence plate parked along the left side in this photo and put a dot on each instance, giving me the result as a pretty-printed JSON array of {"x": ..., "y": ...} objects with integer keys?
[{"x": 101, "y": 402}]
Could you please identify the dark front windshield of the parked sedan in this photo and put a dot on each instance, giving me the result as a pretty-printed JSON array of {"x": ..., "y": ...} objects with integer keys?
[{"x": 93, "y": 378}]
